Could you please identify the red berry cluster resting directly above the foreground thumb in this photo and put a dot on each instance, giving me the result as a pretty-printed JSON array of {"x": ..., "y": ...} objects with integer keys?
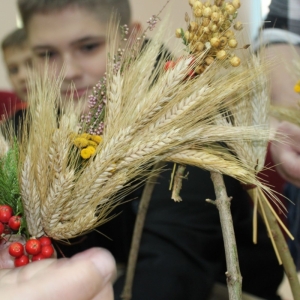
[{"x": 34, "y": 249}]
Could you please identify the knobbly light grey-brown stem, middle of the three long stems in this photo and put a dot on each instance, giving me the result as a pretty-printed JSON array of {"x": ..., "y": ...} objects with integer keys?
[{"x": 234, "y": 277}]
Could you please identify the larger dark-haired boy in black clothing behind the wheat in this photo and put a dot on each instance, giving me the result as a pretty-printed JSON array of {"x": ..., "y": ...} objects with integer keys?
[{"x": 182, "y": 251}]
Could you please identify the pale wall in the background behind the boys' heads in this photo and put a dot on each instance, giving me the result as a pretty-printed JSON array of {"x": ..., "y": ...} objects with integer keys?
[{"x": 142, "y": 11}]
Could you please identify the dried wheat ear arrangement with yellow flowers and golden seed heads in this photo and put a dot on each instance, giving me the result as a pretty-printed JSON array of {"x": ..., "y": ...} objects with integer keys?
[{"x": 71, "y": 171}]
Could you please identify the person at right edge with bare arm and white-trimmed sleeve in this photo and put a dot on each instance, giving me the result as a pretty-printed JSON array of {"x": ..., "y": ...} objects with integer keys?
[{"x": 281, "y": 34}]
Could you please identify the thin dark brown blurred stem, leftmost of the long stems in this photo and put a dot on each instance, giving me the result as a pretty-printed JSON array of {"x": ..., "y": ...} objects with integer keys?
[{"x": 137, "y": 233}]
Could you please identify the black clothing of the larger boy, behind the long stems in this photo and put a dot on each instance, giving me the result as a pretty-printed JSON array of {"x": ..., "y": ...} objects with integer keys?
[{"x": 182, "y": 252}]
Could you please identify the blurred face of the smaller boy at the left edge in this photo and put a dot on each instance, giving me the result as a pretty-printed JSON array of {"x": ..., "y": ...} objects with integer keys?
[{"x": 18, "y": 60}]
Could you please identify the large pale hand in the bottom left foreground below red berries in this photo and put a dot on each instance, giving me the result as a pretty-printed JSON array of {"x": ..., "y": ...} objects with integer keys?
[{"x": 87, "y": 275}]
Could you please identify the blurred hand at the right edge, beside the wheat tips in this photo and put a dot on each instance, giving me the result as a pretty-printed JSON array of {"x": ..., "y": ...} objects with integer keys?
[{"x": 286, "y": 155}]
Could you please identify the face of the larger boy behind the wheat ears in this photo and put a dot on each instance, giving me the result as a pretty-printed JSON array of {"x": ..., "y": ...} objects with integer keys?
[{"x": 74, "y": 39}]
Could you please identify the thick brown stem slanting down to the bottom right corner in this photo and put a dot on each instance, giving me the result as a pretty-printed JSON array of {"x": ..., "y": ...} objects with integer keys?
[{"x": 287, "y": 260}]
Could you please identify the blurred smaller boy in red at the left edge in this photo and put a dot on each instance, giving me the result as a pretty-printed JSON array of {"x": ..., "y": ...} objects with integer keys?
[{"x": 17, "y": 59}]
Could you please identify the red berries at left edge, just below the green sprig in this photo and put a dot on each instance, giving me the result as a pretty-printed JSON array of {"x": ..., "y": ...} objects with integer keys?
[{"x": 8, "y": 221}]
